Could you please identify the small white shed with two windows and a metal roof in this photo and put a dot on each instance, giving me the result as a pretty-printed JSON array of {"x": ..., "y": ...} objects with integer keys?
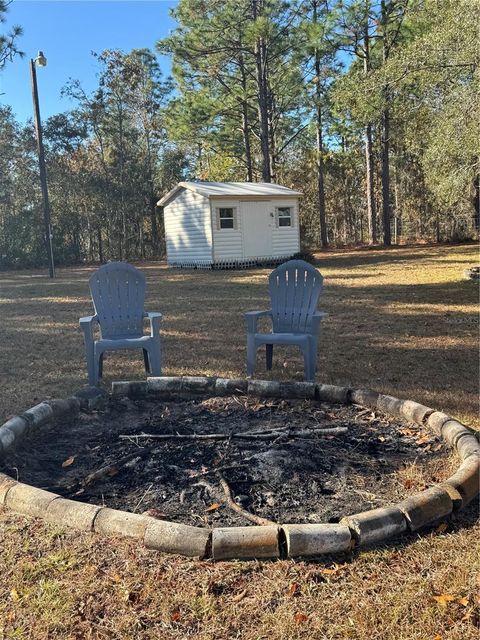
[{"x": 226, "y": 224}]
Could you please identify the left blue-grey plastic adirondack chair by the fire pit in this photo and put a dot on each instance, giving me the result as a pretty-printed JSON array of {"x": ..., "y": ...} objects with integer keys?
[{"x": 118, "y": 294}]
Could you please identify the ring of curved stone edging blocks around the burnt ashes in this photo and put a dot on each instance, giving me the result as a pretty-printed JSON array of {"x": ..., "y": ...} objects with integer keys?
[{"x": 283, "y": 541}]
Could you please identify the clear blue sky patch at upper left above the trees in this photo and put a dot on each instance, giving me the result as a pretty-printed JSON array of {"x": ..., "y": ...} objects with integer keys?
[{"x": 67, "y": 31}]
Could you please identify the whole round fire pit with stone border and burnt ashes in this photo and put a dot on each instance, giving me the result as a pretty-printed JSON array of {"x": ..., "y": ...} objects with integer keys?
[{"x": 235, "y": 468}]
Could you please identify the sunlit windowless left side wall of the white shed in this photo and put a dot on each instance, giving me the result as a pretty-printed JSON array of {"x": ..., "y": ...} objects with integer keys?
[{"x": 188, "y": 228}]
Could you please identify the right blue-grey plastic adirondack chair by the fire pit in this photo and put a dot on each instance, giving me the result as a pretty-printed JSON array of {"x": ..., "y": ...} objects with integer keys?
[{"x": 295, "y": 288}]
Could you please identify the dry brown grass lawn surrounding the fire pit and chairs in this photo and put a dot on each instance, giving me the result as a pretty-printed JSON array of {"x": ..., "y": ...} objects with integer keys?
[{"x": 401, "y": 321}]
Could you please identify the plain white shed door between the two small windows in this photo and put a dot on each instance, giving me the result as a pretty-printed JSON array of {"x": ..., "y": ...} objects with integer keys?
[{"x": 257, "y": 225}]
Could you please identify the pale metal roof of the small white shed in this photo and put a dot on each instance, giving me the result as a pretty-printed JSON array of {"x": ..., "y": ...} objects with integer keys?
[{"x": 231, "y": 189}]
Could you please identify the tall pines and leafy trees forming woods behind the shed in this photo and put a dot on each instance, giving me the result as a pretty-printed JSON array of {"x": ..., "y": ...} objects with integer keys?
[{"x": 368, "y": 108}]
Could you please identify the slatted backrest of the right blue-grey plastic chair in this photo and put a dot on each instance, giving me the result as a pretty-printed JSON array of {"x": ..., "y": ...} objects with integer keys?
[{"x": 295, "y": 288}]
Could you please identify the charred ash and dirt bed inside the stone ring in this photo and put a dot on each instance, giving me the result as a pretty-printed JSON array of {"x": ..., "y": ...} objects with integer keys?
[{"x": 279, "y": 460}]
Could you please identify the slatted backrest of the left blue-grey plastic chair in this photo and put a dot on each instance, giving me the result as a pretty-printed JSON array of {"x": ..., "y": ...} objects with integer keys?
[{"x": 118, "y": 294}]
